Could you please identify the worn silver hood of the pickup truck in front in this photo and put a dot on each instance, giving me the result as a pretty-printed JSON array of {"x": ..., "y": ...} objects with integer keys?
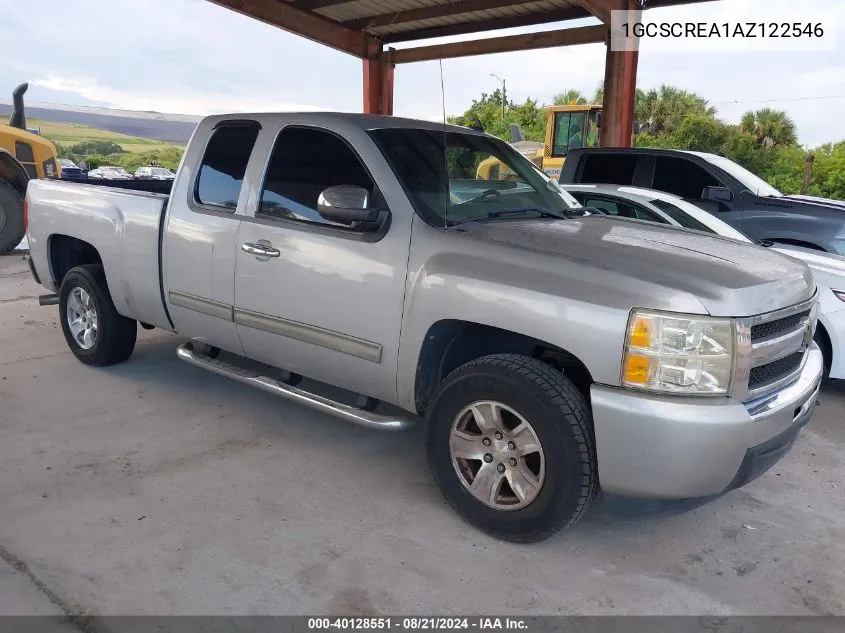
[{"x": 729, "y": 278}]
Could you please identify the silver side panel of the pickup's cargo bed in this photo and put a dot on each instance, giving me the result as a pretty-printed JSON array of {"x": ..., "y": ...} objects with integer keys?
[{"x": 123, "y": 226}]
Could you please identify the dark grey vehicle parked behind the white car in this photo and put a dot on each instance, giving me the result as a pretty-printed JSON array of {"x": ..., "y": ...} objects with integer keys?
[{"x": 720, "y": 186}]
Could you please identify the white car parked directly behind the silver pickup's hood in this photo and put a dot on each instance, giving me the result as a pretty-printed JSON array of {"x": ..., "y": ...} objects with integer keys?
[{"x": 657, "y": 206}]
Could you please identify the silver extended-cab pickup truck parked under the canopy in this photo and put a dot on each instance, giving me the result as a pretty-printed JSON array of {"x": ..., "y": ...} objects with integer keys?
[{"x": 551, "y": 352}]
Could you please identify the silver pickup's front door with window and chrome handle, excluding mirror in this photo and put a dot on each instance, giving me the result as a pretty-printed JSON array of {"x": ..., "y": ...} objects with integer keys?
[{"x": 312, "y": 296}]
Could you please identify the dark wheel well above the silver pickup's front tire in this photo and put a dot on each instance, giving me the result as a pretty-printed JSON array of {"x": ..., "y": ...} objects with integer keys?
[{"x": 451, "y": 343}]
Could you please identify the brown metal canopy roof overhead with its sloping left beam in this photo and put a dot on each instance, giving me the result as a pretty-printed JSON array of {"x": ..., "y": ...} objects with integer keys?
[{"x": 360, "y": 27}]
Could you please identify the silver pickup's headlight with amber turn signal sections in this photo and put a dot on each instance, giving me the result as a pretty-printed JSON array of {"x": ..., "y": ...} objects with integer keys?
[{"x": 679, "y": 354}]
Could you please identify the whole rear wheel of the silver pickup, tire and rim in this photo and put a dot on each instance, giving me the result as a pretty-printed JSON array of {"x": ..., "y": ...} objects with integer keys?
[{"x": 96, "y": 334}]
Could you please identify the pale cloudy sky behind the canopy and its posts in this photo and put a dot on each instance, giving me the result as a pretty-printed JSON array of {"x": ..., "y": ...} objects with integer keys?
[{"x": 194, "y": 57}]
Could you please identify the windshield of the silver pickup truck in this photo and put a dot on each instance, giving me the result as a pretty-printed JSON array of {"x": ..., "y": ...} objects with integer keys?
[{"x": 443, "y": 175}]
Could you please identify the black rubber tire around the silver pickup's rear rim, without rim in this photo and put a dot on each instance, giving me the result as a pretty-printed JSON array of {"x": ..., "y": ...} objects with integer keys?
[{"x": 116, "y": 334}]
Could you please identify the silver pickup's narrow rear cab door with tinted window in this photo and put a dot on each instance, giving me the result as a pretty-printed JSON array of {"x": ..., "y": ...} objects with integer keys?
[{"x": 200, "y": 238}]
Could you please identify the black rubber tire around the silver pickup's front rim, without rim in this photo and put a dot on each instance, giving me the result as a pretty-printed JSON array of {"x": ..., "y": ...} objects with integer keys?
[{"x": 561, "y": 419}]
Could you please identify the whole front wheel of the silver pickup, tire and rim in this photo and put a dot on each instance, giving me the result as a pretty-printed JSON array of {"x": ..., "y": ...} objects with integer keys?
[{"x": 510, "y": 443}]
